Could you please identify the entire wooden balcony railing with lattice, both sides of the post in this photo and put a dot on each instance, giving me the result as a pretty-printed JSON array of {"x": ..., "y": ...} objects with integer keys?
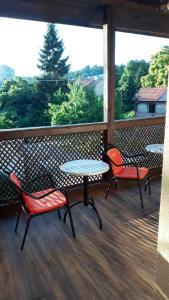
[{"x": 37, "y": 151}]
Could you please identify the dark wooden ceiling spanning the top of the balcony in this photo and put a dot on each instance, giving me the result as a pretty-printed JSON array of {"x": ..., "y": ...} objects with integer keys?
[{"x": 139, "y": 15}]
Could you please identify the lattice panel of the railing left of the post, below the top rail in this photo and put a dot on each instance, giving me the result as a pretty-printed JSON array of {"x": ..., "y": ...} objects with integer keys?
[{"x": 36, "y": 156}]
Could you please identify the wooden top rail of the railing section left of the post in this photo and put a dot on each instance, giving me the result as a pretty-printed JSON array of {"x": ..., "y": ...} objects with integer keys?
[{"x": 46, "y": 131}]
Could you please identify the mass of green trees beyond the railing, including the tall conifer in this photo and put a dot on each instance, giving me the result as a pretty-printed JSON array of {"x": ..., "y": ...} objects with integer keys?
[{"x": 58, "y": 97}]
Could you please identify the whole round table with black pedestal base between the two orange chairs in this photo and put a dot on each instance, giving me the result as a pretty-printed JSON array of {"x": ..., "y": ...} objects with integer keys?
[{"x": 85, "y": 168}]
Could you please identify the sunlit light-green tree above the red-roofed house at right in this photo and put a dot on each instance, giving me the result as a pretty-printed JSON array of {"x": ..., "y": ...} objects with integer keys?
[{"x": 158, "y": 70}]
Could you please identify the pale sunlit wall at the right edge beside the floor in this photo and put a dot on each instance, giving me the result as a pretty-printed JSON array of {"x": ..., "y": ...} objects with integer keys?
[{"x": 162, "y": 273}]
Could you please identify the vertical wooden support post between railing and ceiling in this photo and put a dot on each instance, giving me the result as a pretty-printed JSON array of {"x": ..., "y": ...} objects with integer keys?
[{"x": 109, "y": 70}]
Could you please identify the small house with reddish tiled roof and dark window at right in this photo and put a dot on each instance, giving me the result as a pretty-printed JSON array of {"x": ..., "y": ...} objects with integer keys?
[{"x": 150, "y": 102}]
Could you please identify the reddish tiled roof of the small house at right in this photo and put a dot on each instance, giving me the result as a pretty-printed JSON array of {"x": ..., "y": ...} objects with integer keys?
[{"x": 150, "y": 94}]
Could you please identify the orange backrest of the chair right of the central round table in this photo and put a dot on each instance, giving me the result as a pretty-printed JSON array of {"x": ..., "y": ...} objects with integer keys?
[{"x": 115, "y": 159}]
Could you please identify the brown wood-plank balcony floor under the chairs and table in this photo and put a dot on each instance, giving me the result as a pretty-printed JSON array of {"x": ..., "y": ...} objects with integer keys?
[{"x": 117, "y": 263}]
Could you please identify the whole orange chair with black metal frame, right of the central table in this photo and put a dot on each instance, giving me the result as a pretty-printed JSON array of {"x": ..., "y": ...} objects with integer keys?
[{"x": 126, "y": 171}]
